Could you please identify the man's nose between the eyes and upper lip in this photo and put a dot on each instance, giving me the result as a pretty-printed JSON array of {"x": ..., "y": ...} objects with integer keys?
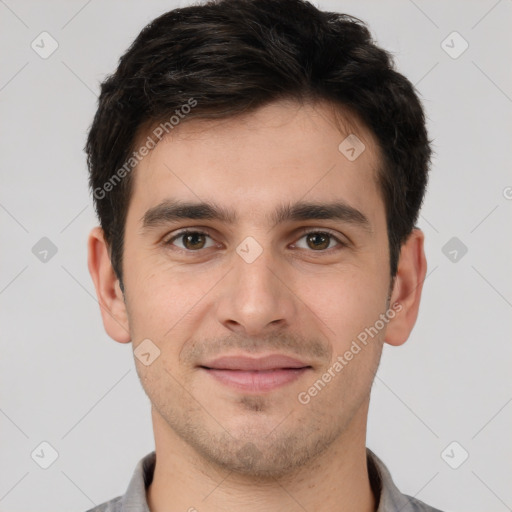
[{"x": 255, "y": 298}]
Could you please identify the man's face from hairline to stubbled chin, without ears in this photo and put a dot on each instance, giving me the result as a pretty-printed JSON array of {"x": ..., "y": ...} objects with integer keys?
[{"x": 303, "y": 287}]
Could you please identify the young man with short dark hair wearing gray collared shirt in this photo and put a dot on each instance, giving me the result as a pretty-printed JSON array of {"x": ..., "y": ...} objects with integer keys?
[{"x": 258, "y": 167}]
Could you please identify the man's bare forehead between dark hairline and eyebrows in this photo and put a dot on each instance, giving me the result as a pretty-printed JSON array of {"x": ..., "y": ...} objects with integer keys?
[{"x": 281, "y": 153}]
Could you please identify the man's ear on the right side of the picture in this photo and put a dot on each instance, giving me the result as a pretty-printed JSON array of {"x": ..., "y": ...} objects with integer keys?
[{"x": 406, "y": 294}]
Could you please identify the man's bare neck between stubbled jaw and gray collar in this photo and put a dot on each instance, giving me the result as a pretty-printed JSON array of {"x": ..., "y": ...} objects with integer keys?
[{"x": 337, "y": 480}]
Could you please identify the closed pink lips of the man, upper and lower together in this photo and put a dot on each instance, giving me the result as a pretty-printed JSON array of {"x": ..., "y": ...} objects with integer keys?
[{"x": 256, "y": 375}]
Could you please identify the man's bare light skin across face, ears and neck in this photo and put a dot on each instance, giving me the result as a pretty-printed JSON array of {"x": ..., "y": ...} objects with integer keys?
[{"x": 219, "y": 448}]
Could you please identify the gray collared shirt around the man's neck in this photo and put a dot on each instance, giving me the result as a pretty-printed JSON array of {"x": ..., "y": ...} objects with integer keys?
[{"x": 391, "y": 499}]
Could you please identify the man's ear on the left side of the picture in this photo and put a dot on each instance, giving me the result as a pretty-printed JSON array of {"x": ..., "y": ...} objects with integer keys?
[{"x": 108, "y": 291}]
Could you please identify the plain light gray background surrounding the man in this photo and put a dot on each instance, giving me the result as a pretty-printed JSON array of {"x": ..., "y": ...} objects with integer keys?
[{"x": 65, "y": 382}]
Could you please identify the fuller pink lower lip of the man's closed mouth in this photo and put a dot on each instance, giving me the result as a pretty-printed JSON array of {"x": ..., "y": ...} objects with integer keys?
[{"x": 257, "y": 381}]
